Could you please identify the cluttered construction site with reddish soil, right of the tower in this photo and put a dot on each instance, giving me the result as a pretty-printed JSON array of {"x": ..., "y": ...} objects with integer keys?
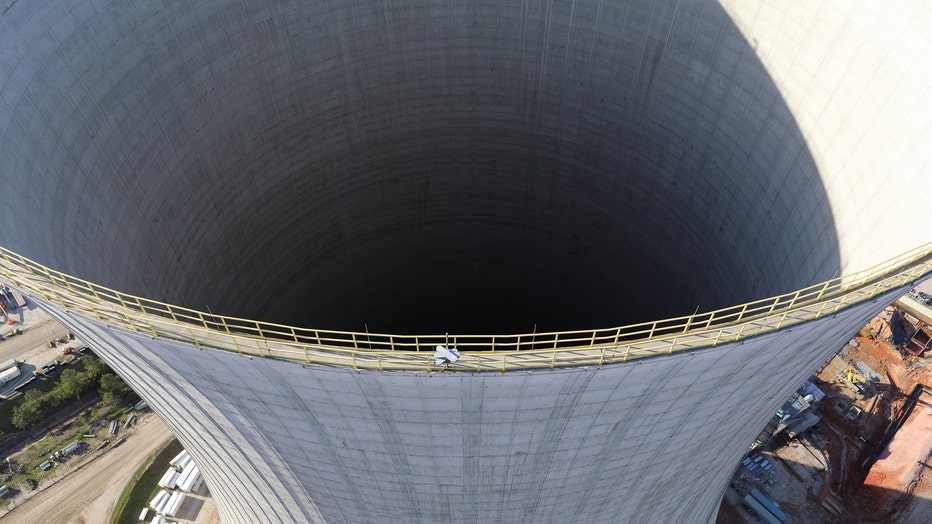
[{"x": 854, "y": 444}]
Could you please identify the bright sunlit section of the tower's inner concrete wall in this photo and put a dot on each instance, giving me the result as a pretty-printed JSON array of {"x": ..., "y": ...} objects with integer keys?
[{"x": 856, "y": 79}]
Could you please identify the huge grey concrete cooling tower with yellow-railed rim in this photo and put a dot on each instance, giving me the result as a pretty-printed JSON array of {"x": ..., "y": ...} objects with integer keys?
[{"x": 256, "y": 207}]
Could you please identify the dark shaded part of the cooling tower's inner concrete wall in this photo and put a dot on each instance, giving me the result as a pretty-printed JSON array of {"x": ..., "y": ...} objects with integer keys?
[{"x": 412, "y": 166}]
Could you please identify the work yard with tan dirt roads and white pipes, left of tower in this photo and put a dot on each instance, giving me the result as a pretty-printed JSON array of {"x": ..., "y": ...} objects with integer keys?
[{"x": 73, "y": 464}]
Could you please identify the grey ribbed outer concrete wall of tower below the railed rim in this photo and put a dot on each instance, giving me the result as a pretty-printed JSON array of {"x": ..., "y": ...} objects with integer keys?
[{"x": 649, "y": 441}]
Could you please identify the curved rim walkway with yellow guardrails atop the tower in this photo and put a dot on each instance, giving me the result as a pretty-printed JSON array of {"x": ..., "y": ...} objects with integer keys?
[{"x": 479, "y": 352}]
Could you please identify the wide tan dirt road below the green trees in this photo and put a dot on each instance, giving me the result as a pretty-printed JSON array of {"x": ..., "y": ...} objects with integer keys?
[{"x": 88, "y": 495}]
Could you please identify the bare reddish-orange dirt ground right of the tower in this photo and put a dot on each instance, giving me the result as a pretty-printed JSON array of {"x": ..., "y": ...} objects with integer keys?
[{"x": 901, "y": 483}]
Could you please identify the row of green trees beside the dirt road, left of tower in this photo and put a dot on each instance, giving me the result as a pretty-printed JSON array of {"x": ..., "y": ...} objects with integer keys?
[{"x": 37, "y": 405}]
